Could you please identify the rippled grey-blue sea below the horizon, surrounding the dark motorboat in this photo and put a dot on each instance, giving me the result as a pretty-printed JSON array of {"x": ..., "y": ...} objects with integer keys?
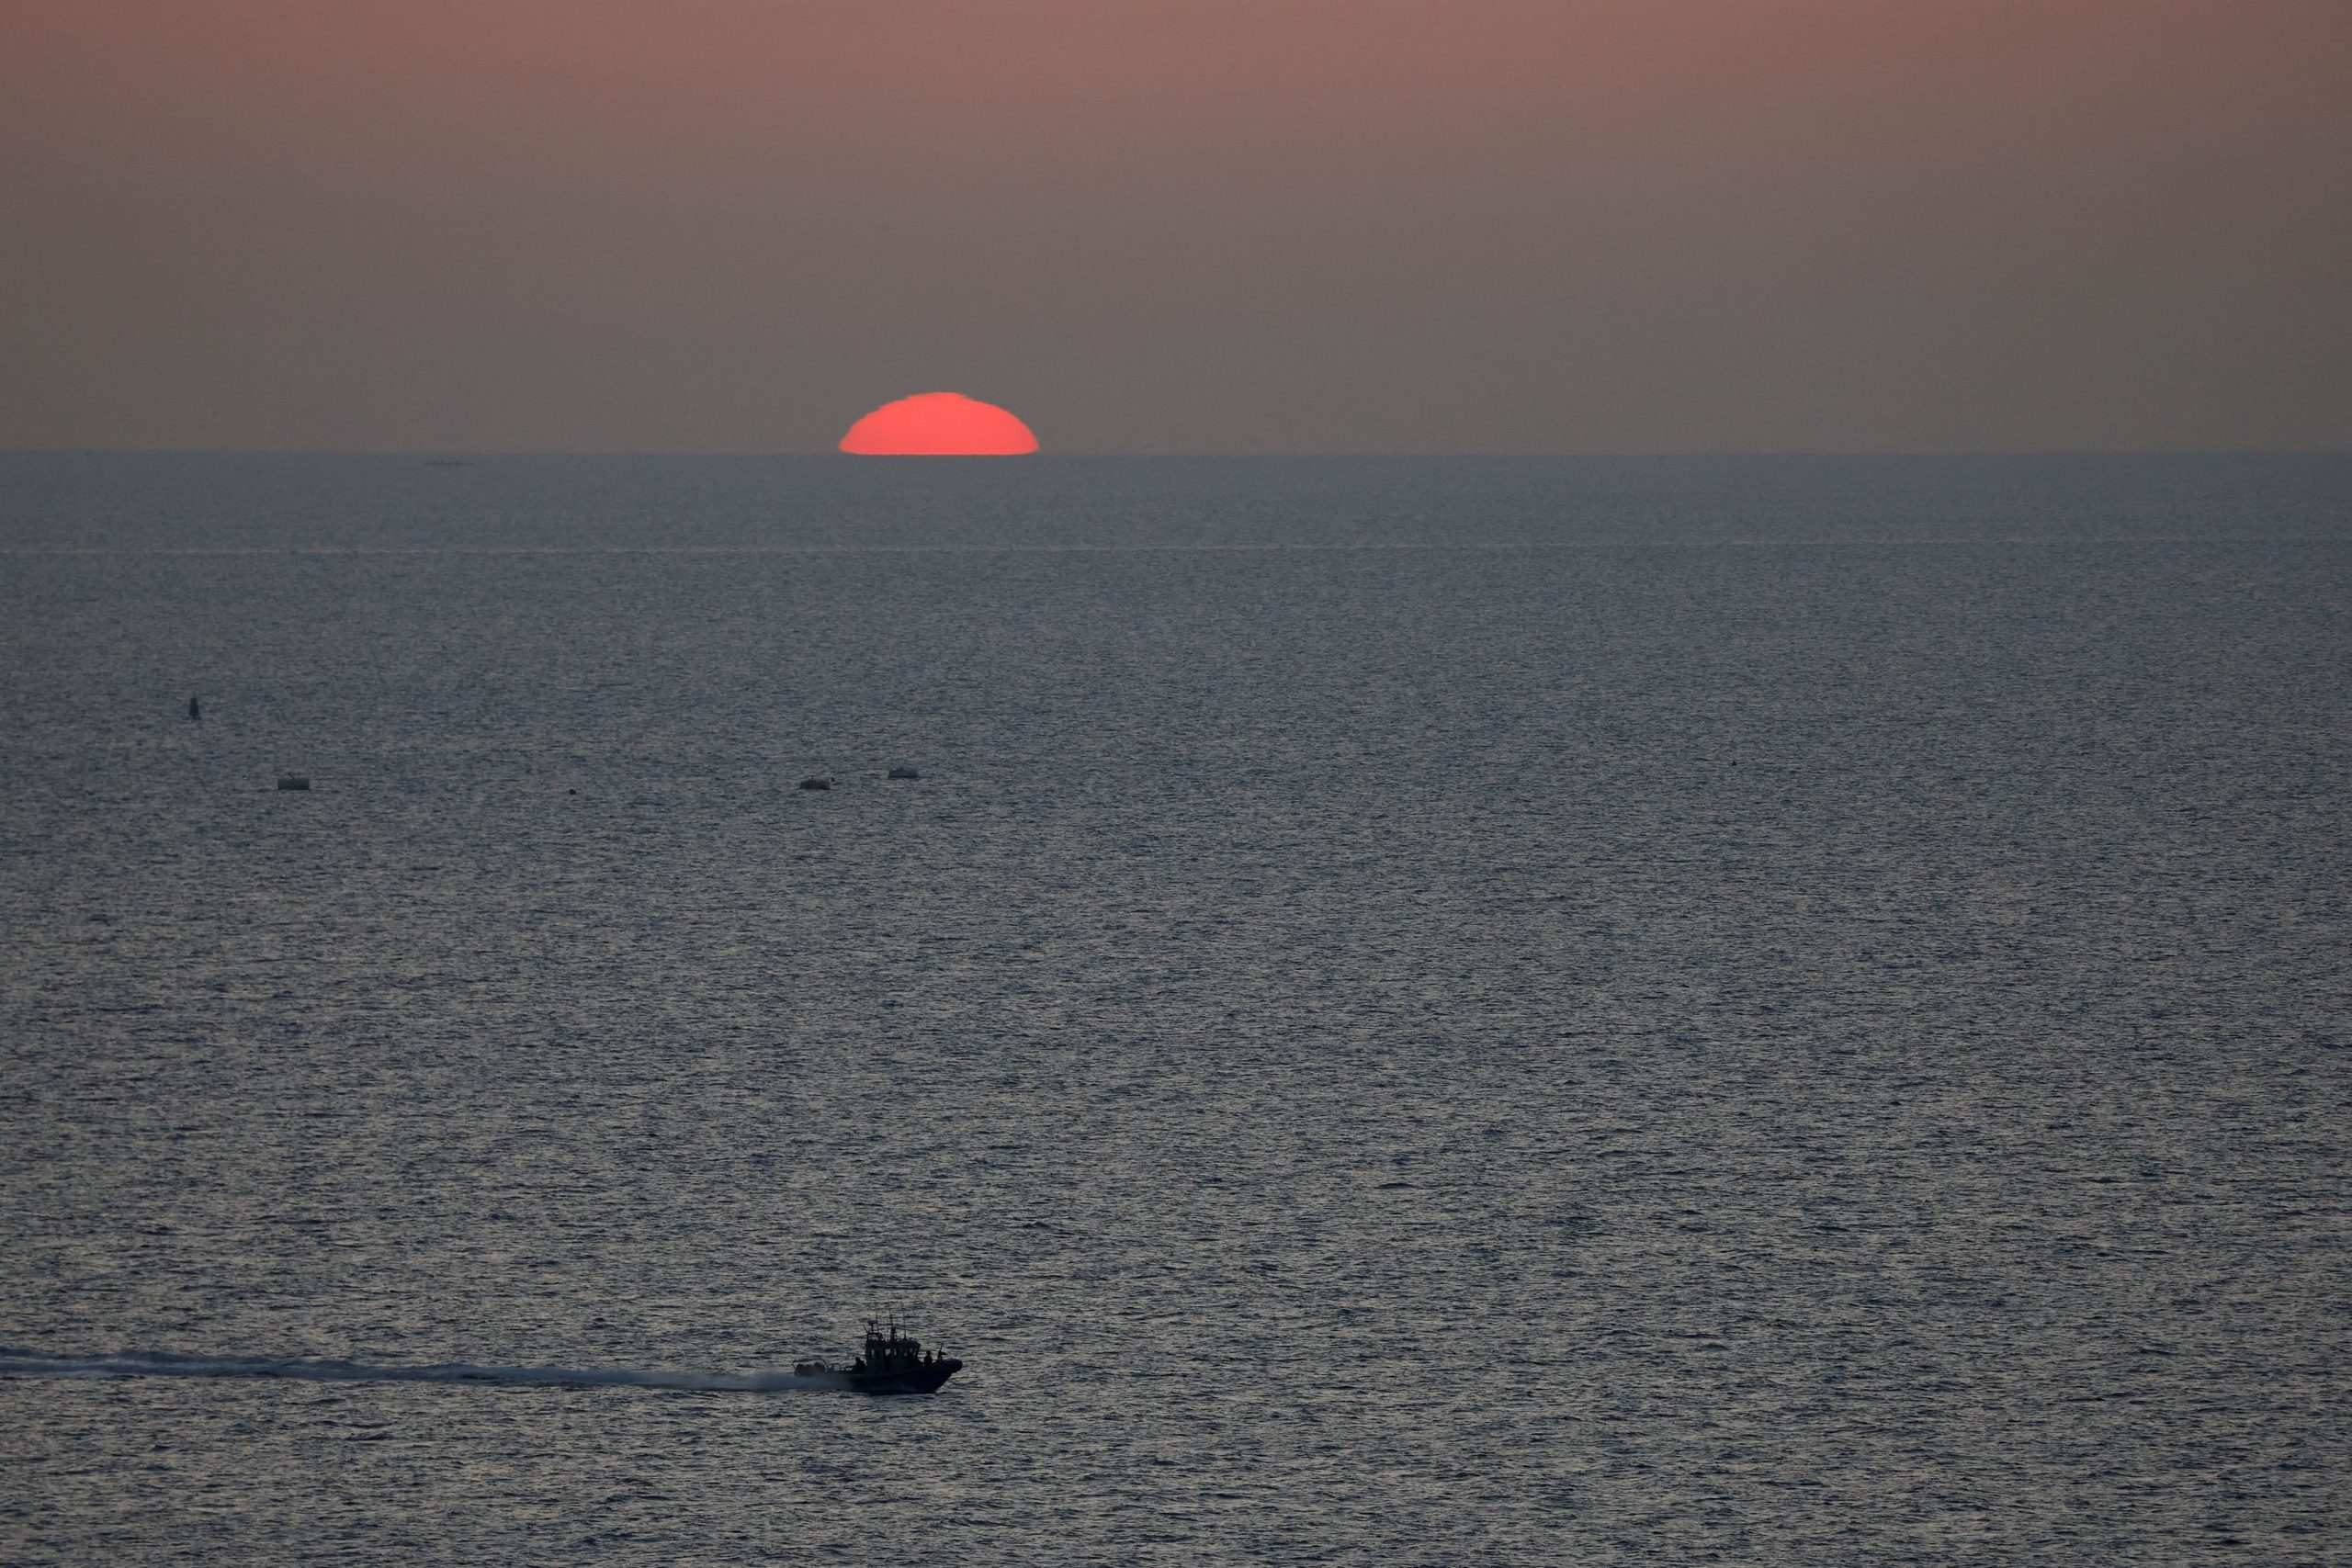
[{"x": 1417, "y": 1012}]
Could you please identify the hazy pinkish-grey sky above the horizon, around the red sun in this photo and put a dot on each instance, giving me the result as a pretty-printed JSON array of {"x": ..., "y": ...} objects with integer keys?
[{"x": 1180, "y": 225}]
